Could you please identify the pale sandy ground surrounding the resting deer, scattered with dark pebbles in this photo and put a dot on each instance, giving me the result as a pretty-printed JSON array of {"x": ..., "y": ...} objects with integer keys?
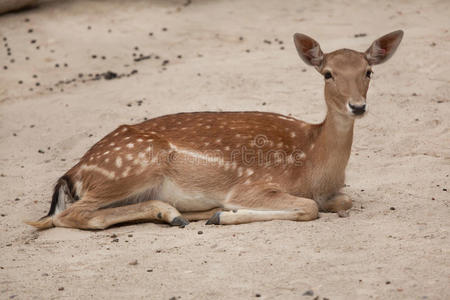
[{"x": 394, "y": 245}]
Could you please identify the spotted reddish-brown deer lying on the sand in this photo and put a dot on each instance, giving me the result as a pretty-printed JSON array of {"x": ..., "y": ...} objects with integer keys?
[{"x": 226, "y": 167}]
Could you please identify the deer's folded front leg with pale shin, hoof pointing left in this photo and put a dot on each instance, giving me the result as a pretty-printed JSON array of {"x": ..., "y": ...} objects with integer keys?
[{"x": 281, "y": 206}]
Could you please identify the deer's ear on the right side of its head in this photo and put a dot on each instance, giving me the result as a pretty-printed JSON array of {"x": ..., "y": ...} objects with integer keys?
[{"x": 384, "y": 47}]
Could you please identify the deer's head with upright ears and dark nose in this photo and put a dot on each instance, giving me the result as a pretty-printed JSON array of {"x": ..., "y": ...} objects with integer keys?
[{"x": 347, "y": 72}]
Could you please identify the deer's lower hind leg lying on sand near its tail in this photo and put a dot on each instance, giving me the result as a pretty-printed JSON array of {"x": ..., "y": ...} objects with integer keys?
[{"x": 152, "y": 210}]
